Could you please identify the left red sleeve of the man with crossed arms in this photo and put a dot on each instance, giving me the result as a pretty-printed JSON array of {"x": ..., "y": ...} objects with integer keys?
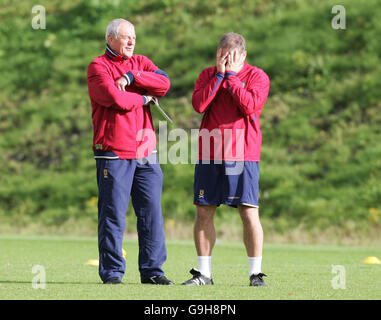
[{"x": 103, "y": 91}]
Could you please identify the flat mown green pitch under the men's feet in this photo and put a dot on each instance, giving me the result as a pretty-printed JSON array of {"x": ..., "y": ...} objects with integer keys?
[{"x": 294, "y": 271}]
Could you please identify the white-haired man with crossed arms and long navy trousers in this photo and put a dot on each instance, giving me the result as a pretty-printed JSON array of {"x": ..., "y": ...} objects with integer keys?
[{"x": 121, "y": 86}]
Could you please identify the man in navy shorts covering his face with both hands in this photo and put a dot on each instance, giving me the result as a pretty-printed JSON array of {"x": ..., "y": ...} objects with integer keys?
[{"x": 231, "y": 96}]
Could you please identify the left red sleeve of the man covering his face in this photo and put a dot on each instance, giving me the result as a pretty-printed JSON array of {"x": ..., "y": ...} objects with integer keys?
[{"x": 205, "y": 90}]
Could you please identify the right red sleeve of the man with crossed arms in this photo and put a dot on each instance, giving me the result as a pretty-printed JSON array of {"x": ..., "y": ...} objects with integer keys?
[{"x": 155, "y": 81}]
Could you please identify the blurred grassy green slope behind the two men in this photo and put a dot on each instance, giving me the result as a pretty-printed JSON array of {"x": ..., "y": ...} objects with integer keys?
[{"x": 321, "y": 154}]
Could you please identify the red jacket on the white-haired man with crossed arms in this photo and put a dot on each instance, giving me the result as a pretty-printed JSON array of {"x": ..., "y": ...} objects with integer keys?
[{"x": 117, "y": 115}]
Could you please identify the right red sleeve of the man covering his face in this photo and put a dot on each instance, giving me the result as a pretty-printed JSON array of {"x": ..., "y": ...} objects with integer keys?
[{"x": 252, "y": 97}]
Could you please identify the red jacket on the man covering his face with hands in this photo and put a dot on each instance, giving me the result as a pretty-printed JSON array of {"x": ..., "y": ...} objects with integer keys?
[{"x": 232, "y": 104}]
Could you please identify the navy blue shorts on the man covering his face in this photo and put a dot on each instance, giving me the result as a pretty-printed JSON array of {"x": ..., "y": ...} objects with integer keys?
[{"x": 227, "y": 182}]
